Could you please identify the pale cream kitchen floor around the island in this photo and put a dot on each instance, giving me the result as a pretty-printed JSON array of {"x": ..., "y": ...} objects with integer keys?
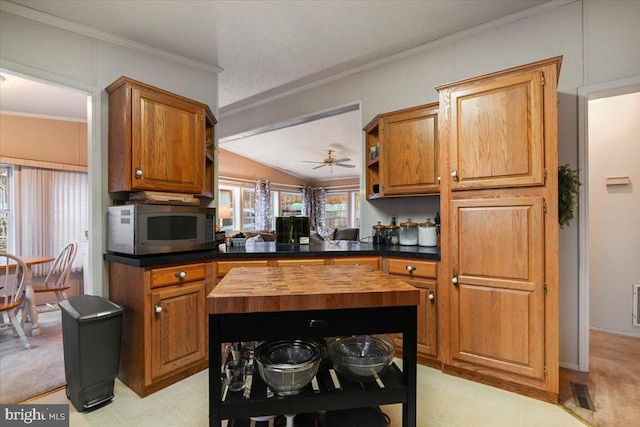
[{"x": 443, "y": 400}]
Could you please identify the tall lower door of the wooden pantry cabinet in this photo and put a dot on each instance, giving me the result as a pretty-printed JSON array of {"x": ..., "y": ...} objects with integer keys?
[{"x": 498, "y": 296}]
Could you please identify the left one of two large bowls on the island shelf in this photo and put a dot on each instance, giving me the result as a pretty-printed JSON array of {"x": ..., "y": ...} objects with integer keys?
[{"x": 288, "y": 366}]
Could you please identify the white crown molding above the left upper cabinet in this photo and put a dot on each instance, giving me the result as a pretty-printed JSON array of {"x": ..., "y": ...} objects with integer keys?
[{"x": 45, "y": 18}]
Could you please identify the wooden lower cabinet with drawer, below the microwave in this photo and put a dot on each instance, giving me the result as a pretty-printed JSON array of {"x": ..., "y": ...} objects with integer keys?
[{"x": 164, "y": 326}]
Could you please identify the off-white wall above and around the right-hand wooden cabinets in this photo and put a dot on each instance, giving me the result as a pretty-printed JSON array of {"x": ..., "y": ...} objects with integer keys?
[{"x": 599, "y": 41}]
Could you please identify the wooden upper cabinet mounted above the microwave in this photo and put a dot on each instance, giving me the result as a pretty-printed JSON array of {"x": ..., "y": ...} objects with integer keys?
[{"x": 156, "y": 141}]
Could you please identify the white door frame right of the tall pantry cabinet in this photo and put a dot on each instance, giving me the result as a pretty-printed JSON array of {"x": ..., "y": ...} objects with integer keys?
[{"x": 586, "y": 93}]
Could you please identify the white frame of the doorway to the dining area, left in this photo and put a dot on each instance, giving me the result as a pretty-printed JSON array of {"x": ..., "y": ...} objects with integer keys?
[{"x": 96, "y": 266}]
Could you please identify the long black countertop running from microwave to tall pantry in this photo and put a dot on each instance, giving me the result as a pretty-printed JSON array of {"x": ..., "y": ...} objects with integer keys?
[{"x": 267, "y": 250}]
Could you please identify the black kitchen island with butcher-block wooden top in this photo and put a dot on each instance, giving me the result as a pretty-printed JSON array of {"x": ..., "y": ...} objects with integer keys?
[{"x": 273, "y": 303}]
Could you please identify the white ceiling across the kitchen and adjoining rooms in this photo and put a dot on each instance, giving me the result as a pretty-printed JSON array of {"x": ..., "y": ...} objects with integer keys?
[{"x": 269, "y": 47}]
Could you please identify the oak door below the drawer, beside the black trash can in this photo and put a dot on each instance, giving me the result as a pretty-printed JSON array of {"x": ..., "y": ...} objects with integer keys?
[{"x": 177, "y": 328}]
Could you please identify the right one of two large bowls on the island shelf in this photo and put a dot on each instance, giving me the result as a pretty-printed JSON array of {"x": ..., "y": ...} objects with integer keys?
[{"x": 361, "y": 358}]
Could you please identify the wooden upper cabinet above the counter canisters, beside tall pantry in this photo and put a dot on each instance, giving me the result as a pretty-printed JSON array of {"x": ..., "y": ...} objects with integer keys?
[{"x": 407, "y": 163}]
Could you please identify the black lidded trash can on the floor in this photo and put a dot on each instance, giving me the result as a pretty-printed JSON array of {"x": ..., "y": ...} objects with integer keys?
[{"x": 91, "y": 332}]
